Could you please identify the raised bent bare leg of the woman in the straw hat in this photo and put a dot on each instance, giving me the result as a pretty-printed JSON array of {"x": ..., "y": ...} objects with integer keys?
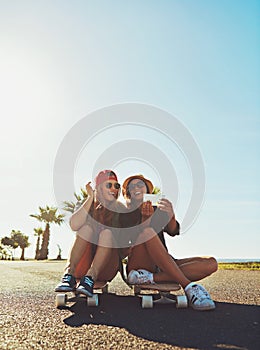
[{"x": 152, "y": 252}]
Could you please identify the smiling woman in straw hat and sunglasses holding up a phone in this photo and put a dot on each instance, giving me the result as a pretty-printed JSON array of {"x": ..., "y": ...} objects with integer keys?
[{"x": 148, "y": 260}]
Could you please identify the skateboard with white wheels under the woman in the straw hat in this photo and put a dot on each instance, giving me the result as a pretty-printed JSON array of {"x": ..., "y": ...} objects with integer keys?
[{"x": 160, "y": 293}]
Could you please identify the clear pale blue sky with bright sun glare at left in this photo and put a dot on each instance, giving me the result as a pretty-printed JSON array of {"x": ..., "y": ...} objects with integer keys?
[{"x": 63, "y": 61}]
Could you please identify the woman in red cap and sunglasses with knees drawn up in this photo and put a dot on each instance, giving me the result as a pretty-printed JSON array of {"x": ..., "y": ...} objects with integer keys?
[{"x": 92, "y": 255}]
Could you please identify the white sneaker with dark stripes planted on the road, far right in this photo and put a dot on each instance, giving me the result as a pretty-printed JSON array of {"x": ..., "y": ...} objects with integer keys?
[{"x": 199, "y": 298}]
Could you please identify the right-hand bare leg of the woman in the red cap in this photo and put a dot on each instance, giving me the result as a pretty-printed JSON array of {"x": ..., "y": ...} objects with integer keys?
[{"x": 106, "y": 261}]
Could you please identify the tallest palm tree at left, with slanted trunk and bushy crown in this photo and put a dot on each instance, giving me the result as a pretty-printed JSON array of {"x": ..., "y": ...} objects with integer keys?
[{"x": 47, "y": 215}]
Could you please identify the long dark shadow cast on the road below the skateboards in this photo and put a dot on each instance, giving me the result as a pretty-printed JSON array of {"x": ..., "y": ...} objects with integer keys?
[{"x": 230, "y": 326}]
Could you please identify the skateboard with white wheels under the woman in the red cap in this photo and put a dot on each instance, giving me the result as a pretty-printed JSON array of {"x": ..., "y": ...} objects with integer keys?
[{"x": 99, "y": 287}]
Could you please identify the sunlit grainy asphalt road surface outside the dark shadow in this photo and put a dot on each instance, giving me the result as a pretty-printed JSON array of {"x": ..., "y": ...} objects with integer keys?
[{"x": 30, "y": 320}]
